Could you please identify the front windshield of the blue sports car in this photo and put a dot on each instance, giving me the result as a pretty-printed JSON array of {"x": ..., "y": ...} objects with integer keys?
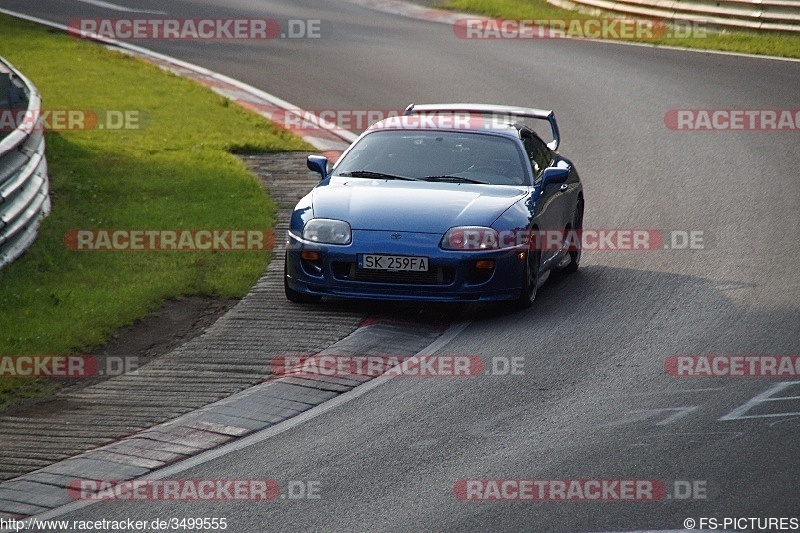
[{"x": 456, "y": 157}]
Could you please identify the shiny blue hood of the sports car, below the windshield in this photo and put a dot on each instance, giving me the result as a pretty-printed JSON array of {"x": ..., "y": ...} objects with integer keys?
[{"x": 424, "y": 207}]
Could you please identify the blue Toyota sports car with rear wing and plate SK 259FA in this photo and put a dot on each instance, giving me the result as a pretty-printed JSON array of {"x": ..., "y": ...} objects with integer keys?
[{"x": 451, "y": 202}]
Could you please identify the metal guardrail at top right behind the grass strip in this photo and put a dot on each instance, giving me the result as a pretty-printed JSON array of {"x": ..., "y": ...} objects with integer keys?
[{"x": 778, "y": 15}]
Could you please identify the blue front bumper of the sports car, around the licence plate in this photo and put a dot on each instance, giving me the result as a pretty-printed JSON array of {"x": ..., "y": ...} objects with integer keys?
[{"x": 452, "y": 276}]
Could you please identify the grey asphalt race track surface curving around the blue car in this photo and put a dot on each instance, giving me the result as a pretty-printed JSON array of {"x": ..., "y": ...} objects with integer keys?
[{"x": 594, "y": 401}]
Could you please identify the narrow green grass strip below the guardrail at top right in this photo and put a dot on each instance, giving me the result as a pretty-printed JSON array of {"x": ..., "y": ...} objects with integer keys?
[{"x": 750, "y": 42}]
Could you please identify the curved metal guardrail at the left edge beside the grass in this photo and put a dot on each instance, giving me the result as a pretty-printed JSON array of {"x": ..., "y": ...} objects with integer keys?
[{"x": 24, "y": 186}]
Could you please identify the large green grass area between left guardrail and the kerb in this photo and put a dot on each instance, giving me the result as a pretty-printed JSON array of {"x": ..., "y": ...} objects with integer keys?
[{"x": 177, "y": 172}]
